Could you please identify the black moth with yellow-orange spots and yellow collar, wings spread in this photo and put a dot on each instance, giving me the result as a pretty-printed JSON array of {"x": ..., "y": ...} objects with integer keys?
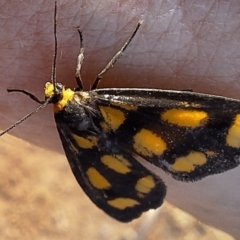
[{"x": 104, "y": 133}]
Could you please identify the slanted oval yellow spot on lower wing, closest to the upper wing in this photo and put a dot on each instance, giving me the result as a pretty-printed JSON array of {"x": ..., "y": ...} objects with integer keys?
[{"x": 117, "y": 163}]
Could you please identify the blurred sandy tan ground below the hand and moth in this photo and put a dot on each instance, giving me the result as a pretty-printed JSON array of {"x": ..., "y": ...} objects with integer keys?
[{"x": 40, "y": 199}]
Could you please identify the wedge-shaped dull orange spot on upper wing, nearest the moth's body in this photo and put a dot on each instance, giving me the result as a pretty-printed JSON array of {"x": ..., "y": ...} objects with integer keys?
[{"x": 113, "y": 117}]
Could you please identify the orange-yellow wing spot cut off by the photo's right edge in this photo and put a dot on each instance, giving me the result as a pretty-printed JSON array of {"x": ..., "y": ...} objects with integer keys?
[{"x": 233, "y": 136}]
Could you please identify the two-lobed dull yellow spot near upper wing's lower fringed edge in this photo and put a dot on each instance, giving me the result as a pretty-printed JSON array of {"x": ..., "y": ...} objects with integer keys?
[{"x": 190, "y": 162}]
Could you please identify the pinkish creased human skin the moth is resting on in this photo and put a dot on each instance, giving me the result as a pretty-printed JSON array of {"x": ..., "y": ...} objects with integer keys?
[{"x": 181, "y": 45}]
